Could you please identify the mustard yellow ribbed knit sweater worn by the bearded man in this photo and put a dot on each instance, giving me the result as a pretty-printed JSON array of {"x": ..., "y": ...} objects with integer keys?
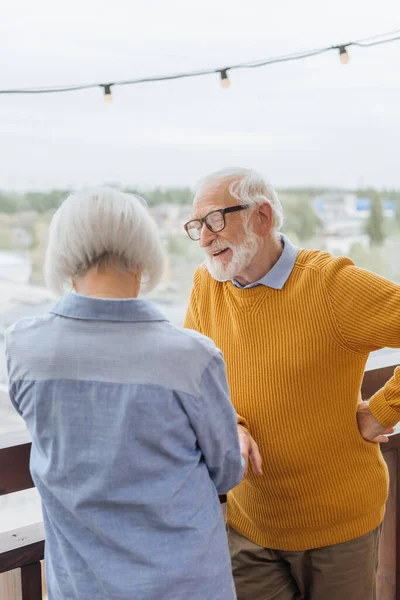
[{"x": 295, "y": 360}]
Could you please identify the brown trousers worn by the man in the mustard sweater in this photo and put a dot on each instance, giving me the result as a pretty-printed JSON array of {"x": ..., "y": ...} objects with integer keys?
[{"x": 341, "y": 572}]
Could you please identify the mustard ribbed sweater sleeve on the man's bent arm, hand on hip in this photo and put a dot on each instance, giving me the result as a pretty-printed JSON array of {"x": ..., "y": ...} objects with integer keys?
[{"x": 366, "y": 313}]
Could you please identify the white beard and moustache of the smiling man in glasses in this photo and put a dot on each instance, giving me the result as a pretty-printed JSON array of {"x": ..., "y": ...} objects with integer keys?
[{"x": 242, "y": 255}]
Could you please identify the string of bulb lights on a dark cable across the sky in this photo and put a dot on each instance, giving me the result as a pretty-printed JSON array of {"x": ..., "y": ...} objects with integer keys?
[{"x": 343, "y": 54}]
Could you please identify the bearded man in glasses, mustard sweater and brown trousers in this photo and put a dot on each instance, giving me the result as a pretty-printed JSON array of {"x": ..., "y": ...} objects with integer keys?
[{"x": 296, "y": 328}]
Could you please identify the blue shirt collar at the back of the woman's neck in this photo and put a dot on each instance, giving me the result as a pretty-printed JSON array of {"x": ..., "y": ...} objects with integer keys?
[{"x": 76, "y": 306}]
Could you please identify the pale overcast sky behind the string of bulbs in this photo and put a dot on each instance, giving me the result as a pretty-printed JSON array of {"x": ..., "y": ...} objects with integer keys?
[{"x": 314, "y": 122}]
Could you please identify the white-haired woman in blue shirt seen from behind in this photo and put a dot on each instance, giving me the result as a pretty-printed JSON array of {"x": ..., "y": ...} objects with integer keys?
[{"x": 133, "y": 432}]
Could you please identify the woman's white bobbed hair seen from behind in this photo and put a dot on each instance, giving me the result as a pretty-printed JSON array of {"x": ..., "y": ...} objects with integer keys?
[{"x": 100, "y": 225}]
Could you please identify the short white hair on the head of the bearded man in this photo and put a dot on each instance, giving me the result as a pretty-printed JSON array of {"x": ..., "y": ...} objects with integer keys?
[{"x": 248, "y": 187}]
